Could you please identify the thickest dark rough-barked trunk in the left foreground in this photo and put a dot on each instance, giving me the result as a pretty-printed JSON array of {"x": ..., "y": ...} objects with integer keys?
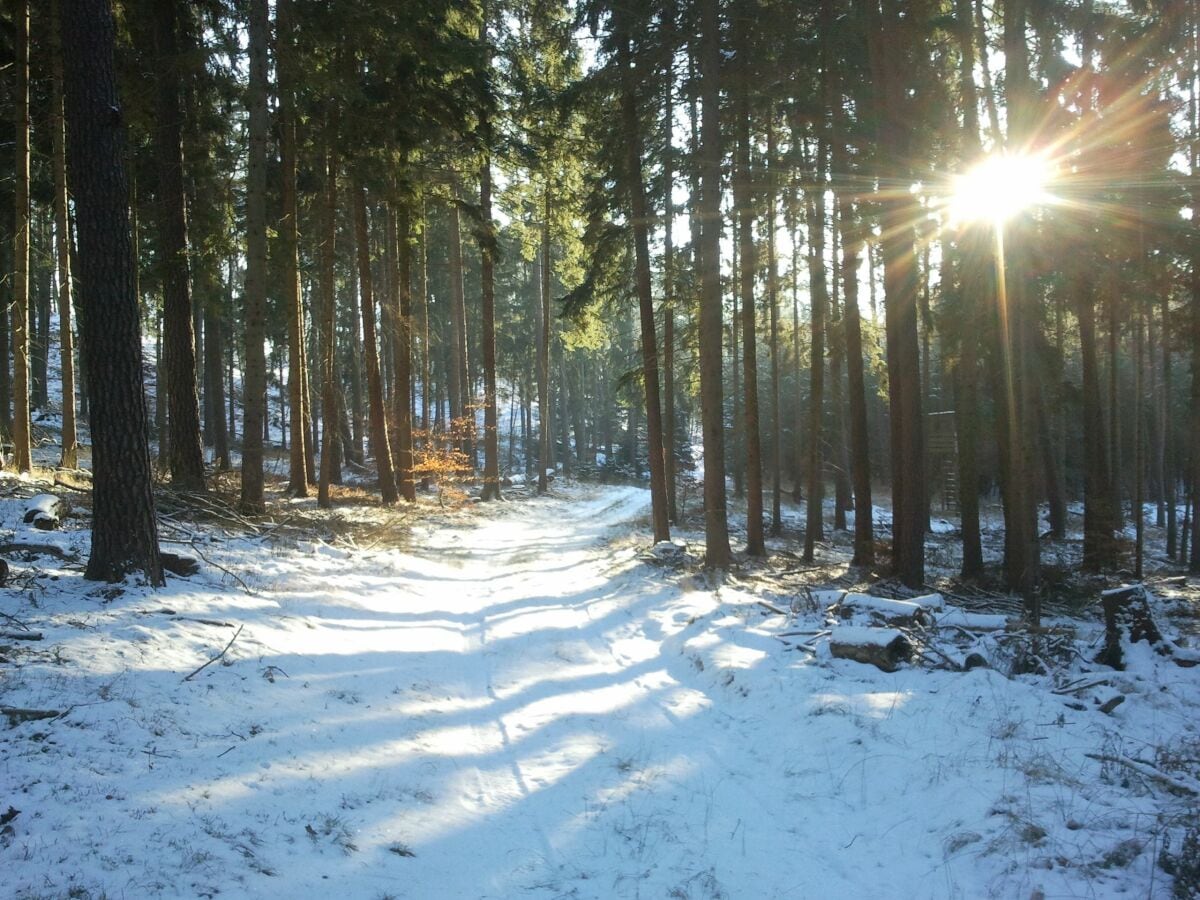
[{"x": 125, "y": 536}]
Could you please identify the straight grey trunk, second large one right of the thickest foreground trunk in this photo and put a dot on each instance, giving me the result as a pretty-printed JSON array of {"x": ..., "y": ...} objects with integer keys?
[{"x": 255, "y": 373}]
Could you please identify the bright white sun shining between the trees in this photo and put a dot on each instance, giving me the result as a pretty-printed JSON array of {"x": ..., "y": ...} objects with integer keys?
[{"x": 1000, "y": 188}]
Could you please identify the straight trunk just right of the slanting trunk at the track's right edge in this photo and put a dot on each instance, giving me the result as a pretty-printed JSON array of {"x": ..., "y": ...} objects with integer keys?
[{"x": 717, "y": 537}]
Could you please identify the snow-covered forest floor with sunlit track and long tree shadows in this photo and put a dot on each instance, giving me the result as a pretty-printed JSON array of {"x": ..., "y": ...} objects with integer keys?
[{"x": 519, "y": 701}]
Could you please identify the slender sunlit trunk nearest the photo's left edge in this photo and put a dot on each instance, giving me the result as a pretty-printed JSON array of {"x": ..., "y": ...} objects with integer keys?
[{"x": 22, "y": 449}]
